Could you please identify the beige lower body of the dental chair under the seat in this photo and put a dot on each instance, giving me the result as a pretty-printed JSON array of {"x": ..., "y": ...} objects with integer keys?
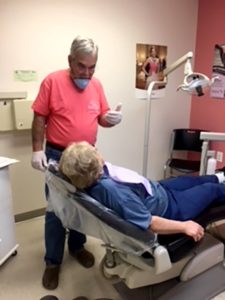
[{"x": 138, "y": 272}]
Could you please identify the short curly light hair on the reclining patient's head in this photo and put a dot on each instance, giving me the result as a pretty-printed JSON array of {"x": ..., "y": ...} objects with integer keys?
[{"x": 81, "y": 163}]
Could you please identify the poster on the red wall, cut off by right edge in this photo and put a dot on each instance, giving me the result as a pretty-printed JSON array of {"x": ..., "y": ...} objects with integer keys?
[{"x": 218, "y": 88}]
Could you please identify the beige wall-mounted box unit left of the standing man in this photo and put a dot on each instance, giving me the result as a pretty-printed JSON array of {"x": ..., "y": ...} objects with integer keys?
[{"x": 15, "y": 111}]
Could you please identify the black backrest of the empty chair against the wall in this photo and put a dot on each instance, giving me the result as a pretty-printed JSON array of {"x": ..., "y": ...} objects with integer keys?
[{"x": 187, "y": 139}]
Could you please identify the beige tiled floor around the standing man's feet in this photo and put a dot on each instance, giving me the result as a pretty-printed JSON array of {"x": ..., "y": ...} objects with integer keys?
[{"x": 20, "y": 276}]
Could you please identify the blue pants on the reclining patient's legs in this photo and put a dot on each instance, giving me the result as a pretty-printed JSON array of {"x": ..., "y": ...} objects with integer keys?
[{"x": 188, "y": 196}]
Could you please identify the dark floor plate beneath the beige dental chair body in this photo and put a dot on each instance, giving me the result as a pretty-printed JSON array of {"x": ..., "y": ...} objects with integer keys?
[{"x": 195, "y": 289}]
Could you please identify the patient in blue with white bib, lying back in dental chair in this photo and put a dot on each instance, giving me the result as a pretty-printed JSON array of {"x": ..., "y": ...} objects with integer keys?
[{"x": 164, "y": 207}]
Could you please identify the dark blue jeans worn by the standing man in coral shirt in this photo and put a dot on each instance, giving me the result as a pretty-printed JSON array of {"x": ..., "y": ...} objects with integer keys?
[{"x": 55, "y": 233}]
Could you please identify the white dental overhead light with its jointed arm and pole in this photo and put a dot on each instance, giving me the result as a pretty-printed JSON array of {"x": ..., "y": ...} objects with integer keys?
[{"x": 193, "y": 83}]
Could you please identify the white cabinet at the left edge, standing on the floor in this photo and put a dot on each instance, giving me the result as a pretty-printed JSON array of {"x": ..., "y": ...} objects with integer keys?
[{"x": 8, "y": 243}]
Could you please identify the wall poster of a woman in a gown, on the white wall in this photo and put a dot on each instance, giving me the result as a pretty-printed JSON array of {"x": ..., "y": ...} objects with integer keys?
[{"x": 150, "y": 63}]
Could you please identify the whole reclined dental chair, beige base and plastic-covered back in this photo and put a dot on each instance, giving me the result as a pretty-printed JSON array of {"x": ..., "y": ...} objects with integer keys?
[{"x": 140, "y": 264}]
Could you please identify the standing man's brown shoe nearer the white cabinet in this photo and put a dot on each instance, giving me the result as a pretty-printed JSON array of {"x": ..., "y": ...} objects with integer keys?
[{"x": 50, "y": 279}]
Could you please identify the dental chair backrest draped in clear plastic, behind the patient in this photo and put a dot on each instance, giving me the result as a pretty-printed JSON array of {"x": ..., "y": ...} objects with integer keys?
[{"x": 78, "y": 211}]
